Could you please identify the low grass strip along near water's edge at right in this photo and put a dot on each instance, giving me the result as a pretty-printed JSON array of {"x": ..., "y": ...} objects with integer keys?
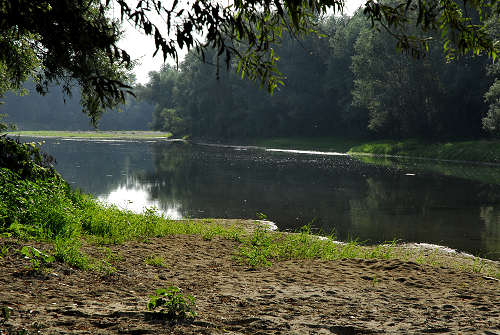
[{"x": 263, "y": 248}]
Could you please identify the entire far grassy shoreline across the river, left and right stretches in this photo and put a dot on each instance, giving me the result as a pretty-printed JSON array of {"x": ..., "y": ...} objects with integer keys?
[{"x": 474, "y": 151}]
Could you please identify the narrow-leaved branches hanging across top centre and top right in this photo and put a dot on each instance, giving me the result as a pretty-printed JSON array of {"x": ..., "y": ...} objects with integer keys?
[{"x": 247, "y": 29}]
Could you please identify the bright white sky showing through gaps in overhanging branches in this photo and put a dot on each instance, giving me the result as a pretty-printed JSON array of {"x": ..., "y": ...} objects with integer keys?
[{"x": 141, "y": 48}]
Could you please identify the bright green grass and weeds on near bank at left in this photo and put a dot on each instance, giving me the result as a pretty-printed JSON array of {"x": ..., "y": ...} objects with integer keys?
[{"x": 49, "y": 211}]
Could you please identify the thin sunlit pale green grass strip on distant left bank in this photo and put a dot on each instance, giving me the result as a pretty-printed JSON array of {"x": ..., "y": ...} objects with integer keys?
[{"x": 92, "y": 134}]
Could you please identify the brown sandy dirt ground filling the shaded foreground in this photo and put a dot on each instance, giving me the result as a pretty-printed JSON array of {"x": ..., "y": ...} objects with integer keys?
[{"x": 291, "y": 297}]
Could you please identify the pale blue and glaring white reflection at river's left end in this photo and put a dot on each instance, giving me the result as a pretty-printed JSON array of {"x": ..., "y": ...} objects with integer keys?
[{"x": 114, "y": 171}]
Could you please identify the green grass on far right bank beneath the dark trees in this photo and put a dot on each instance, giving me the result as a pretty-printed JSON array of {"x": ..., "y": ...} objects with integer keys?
[{"x": 476, "y": 151}]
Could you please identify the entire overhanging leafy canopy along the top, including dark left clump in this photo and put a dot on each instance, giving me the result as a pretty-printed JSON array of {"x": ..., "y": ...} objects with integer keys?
[{"x": 64, "y": 41}]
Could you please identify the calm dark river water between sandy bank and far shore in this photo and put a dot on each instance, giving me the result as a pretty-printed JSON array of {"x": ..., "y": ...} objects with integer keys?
[{"x": 373, "y": 201}]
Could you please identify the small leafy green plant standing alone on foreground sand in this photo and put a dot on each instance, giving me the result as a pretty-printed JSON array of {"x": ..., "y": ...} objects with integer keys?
[{"x": 172, "y": 303}]
